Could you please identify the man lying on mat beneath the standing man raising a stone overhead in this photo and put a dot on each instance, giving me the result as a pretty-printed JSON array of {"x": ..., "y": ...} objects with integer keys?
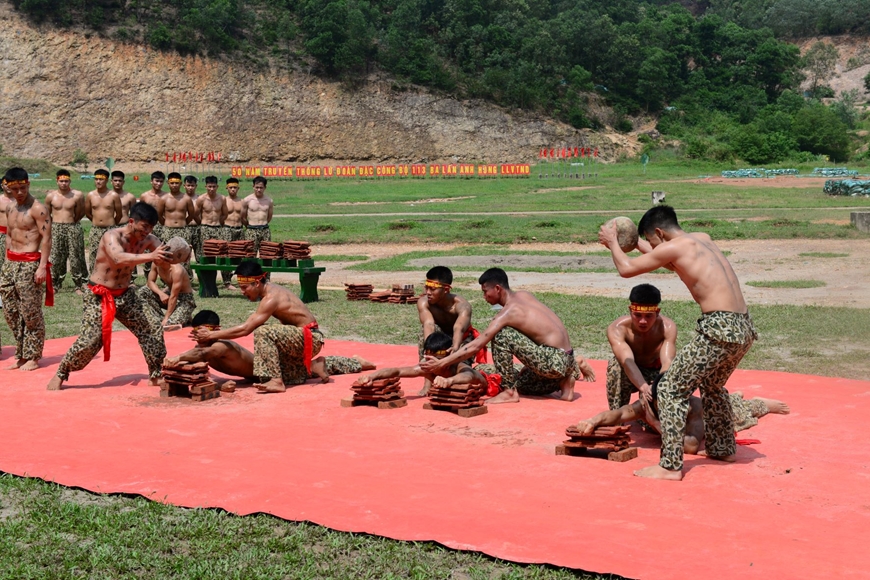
[{"x": 746, "y": 415}]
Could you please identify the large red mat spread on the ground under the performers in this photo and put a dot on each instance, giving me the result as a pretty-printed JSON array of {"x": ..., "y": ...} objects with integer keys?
[{"x": 790, "y": 507}]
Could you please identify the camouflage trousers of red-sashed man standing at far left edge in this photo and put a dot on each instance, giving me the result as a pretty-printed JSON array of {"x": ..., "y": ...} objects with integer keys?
[{"x": 22, "y": 307}]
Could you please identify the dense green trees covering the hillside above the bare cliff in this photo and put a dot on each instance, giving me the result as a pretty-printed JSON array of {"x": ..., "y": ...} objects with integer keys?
[{"x": 722, "y": 82}]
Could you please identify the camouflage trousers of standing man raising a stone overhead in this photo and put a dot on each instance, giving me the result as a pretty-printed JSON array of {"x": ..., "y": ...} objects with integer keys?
[{"x": 705, "y": 363}]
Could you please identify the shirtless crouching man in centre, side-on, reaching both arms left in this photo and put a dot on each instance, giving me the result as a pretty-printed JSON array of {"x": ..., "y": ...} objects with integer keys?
[{"x": 526, "y": 328}]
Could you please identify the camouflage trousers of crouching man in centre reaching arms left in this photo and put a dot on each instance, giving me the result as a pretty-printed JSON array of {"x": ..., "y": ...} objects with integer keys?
[{"x": 544, "y": 367}]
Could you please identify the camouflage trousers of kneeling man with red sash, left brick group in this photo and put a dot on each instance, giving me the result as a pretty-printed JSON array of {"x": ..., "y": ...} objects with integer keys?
[{"x": 278, "y": 352}]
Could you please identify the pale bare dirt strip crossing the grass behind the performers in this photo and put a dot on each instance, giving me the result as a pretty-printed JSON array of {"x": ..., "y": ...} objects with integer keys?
[{"x": 847, "y": 278}]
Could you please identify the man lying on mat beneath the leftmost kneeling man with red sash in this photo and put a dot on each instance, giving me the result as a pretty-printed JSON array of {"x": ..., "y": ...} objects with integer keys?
[{"x": 231, "y": 358}]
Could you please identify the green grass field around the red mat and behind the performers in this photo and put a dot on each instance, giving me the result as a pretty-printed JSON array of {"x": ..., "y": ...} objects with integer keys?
[{"x": 47, "y": 531}]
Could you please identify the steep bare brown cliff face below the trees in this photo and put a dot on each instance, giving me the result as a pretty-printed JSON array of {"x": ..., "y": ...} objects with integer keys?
[{"x": 62, "y": 91}]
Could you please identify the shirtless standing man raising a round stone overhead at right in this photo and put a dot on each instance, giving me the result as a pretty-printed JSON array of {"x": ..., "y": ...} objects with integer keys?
[{"x": 724, "y": 334}]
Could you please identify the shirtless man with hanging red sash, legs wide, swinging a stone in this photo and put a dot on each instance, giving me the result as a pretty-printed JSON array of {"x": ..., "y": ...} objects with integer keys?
[{"x": 120, "y": 250}]
